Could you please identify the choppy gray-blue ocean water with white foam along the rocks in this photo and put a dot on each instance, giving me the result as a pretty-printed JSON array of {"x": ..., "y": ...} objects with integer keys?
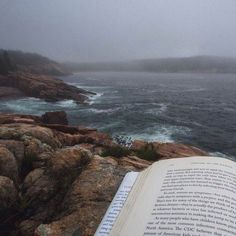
[{"x": 196, "y": 109}]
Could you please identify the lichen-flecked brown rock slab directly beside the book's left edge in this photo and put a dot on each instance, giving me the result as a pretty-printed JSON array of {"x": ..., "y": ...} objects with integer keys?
[{"x": 88, "y": 198}]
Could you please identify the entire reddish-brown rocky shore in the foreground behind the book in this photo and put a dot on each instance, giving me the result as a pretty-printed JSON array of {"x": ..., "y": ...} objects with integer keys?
[{"x": 57, "y": 179}]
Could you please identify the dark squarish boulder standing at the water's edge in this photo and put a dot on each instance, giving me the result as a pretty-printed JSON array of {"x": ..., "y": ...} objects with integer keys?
[{"x": 58, "y": 117}]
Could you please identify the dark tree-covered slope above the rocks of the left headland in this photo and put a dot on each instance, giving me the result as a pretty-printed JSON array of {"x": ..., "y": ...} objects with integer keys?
[{"x": 28, "y": 62}]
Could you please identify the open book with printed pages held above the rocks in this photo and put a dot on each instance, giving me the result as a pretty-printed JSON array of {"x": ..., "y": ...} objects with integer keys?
[{"x": 191, "y": 196}]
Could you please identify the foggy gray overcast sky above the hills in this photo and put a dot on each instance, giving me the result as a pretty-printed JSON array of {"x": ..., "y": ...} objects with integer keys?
[{"x": 103, "y": 30}]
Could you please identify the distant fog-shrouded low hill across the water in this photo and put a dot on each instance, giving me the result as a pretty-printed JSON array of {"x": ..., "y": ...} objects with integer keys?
[{"x": 196, "y": 64}]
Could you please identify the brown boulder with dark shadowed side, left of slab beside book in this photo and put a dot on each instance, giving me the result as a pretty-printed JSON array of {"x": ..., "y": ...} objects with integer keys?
[{"x": 44, "y": 188}]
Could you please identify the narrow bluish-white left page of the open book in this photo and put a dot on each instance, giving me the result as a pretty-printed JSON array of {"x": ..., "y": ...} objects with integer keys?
[{"x": 116, "y": 204}]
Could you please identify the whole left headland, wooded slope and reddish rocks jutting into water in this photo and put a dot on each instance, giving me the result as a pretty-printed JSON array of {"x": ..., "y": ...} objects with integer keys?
[{"x": 29, "y": 74}]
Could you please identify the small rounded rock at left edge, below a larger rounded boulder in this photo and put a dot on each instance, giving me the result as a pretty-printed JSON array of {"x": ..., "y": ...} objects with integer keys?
[{"x": 8, "y": 193}]
